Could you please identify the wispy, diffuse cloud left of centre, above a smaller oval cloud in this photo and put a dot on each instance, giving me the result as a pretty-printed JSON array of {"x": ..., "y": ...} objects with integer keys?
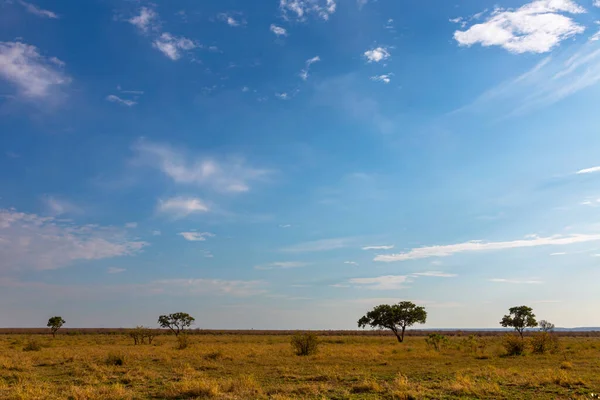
[{"x": 230, "y": 175}]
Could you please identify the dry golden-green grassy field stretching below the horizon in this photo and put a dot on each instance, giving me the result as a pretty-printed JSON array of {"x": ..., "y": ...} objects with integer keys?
[{"x": 264, "y": 367}]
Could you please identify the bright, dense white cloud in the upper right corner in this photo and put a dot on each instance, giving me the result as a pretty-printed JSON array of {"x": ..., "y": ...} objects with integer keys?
[{"x": 536, "y": 27}]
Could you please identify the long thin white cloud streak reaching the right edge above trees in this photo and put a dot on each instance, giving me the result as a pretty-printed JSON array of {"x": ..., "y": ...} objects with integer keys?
[{"x": 478, "y": 245}]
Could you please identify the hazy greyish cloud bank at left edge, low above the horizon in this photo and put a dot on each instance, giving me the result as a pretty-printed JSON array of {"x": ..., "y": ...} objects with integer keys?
[{"x": 28, "y": 241}]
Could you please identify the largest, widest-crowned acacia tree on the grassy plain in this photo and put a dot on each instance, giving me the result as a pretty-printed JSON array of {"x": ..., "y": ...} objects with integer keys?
[{"x": 395, "y": 317}]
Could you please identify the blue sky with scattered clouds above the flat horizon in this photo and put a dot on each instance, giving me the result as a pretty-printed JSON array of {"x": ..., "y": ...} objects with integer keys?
[{"x": 293, "y": 163}]
